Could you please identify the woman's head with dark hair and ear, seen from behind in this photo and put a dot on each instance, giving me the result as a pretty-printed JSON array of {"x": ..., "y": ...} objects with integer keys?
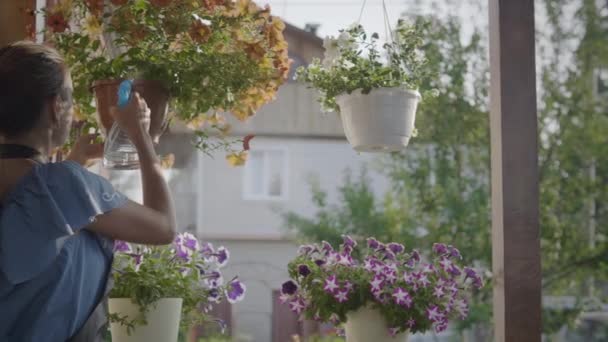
[{"x": 35, "y": 93}]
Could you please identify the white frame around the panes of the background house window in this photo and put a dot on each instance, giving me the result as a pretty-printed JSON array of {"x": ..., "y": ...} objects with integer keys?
[{"x": 265, "y": 174}]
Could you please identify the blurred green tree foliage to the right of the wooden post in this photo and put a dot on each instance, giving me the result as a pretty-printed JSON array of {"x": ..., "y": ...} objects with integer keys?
[{"x": 573, "y": 151}]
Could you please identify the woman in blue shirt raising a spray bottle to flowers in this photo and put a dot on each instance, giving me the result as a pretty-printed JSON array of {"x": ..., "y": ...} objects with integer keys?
[{"x": 57, "y": 220}]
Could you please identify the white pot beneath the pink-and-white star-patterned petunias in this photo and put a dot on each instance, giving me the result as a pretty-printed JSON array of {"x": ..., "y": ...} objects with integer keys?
[{"x": 368, "y": 325}]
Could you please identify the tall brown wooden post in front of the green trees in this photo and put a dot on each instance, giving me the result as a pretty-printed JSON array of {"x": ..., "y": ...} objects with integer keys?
[{"x": 515, "y": 193}]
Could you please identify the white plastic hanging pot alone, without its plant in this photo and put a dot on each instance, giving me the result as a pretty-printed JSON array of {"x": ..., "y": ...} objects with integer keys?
[{"x": 381, "y": 121}]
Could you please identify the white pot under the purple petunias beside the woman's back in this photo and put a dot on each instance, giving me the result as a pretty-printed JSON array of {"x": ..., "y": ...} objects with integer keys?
[{"x": 163, "y": 321}]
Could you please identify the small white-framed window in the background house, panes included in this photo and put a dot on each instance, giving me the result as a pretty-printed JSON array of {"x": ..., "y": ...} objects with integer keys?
[{"x": 266, "y": 175}]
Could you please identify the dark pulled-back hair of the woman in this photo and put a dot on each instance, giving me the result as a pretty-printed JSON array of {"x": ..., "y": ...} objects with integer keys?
[{"x": 30, "y": 74}]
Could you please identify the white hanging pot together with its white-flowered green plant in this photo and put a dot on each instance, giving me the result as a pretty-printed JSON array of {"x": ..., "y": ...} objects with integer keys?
[{"x": 377, "y": 99}]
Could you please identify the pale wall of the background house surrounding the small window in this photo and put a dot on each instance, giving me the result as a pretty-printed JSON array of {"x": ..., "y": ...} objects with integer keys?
[{"x": 224, "y": 212}]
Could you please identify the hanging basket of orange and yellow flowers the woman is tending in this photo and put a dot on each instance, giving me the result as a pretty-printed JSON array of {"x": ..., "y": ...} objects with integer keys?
[{"x": 205, "y": 57}]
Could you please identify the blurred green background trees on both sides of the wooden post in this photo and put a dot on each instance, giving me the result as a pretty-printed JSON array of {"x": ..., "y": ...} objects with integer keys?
[{"x": 442, "y": 183}]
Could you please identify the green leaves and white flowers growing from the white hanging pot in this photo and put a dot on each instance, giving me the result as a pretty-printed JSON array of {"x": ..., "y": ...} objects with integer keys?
[{"x": 354, "y": 62}]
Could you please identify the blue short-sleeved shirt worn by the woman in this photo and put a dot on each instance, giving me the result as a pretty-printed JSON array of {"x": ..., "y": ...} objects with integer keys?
[{"x": 52, "y": 271}]
